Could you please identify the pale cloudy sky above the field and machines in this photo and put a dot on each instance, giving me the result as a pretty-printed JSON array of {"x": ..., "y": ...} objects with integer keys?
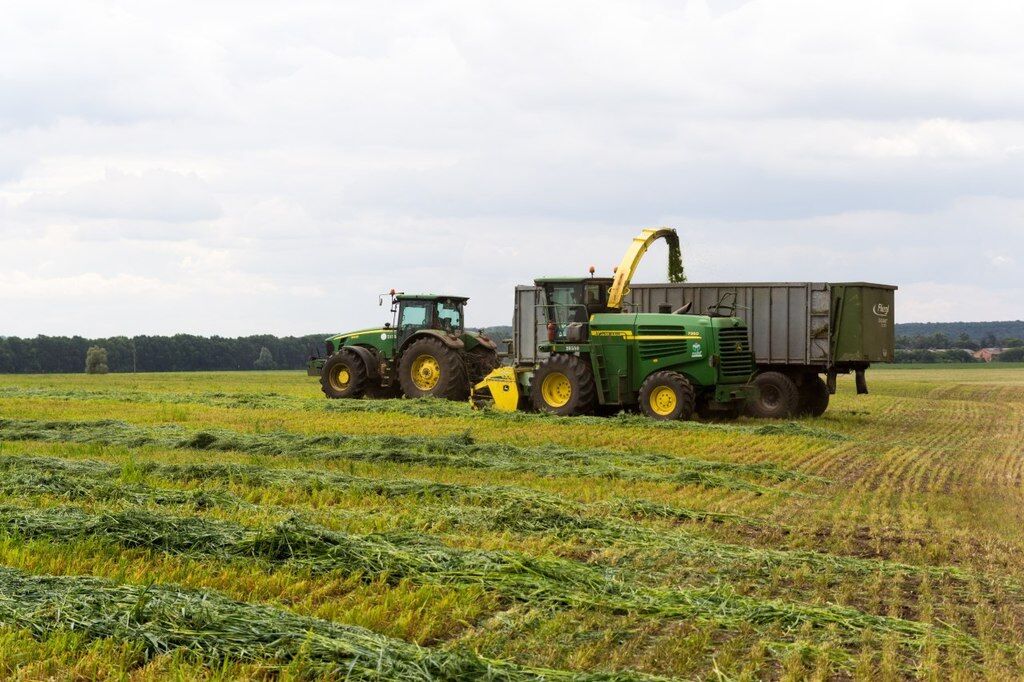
[{"x": 267, "y": 167}]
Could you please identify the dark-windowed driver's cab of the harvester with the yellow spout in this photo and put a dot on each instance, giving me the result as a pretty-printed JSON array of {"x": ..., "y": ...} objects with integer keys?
[{"x": 570, "y": 303}]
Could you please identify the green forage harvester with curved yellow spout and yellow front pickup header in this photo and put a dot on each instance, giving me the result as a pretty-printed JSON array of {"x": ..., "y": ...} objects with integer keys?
[{"x": 671, "y": 365}]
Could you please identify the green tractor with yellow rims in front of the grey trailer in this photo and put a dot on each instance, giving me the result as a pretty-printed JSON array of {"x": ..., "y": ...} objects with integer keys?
[{"x": 424, "y": 352}]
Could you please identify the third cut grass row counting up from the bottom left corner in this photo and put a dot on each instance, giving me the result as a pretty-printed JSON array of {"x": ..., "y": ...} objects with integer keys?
[{"x": 456, "y": 507}]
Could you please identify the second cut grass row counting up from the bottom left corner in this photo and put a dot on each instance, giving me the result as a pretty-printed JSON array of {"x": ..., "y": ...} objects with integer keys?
[{"x": 395, "y": 558}]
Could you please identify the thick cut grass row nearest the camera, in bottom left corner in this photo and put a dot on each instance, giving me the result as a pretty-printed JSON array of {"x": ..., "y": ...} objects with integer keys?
[{"x": 159, "y": 619}]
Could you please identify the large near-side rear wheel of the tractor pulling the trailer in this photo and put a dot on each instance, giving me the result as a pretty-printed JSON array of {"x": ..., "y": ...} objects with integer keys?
[{"x": 440, "y": 371}]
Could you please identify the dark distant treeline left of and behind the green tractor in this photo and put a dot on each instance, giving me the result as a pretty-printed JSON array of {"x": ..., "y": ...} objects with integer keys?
[{"x": 182, "y": 353}]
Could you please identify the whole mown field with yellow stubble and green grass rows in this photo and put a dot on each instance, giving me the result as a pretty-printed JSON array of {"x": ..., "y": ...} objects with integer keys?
[{"x": 239, "y": 526}]
